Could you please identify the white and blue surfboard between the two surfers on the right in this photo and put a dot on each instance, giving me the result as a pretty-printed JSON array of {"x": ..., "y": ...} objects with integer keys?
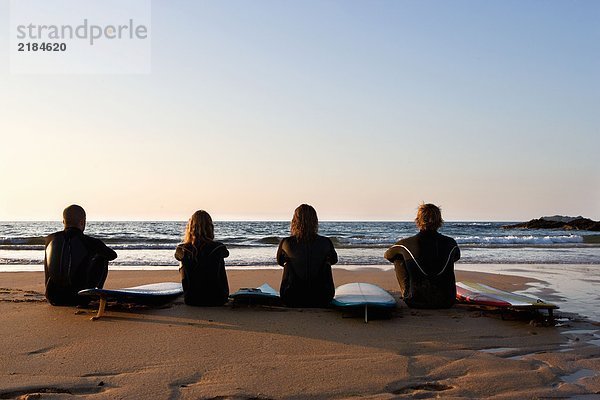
[{"x": 361, "y": 295}]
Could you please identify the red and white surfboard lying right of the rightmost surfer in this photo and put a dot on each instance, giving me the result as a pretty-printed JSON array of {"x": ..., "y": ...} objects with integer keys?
[{"x": 483, "y": 295}]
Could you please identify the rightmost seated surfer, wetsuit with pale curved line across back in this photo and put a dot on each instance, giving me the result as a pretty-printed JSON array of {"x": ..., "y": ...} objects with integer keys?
[{"x": 424, "y": 263}]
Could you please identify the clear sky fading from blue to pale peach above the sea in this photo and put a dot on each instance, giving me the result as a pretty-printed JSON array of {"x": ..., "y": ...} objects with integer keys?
[{"x": 490, "y": 109}]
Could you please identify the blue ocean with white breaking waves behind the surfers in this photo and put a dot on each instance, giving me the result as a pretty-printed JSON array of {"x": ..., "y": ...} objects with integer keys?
[{"x": 253, "y": 244}]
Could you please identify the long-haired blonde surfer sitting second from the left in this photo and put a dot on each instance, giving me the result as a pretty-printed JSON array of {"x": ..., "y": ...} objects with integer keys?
[{"x": 202, "y": 261}]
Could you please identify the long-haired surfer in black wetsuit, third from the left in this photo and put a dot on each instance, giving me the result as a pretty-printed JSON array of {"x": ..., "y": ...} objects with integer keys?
[{"x": 306, "y": 258}]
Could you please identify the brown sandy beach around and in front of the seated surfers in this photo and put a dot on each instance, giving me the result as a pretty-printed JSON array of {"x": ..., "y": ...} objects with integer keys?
[{"x": 274, "y": 353}]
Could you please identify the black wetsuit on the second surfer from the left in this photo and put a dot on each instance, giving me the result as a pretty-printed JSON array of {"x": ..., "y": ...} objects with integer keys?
[{"x": 203, "y": 273}]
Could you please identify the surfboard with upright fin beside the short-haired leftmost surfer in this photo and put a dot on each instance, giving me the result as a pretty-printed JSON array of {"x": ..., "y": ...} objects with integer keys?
[{"x": 154, "y": 294}]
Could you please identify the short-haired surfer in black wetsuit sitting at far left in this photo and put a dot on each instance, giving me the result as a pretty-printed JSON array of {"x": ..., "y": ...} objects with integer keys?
[{"x": 74, "y": 261}]
